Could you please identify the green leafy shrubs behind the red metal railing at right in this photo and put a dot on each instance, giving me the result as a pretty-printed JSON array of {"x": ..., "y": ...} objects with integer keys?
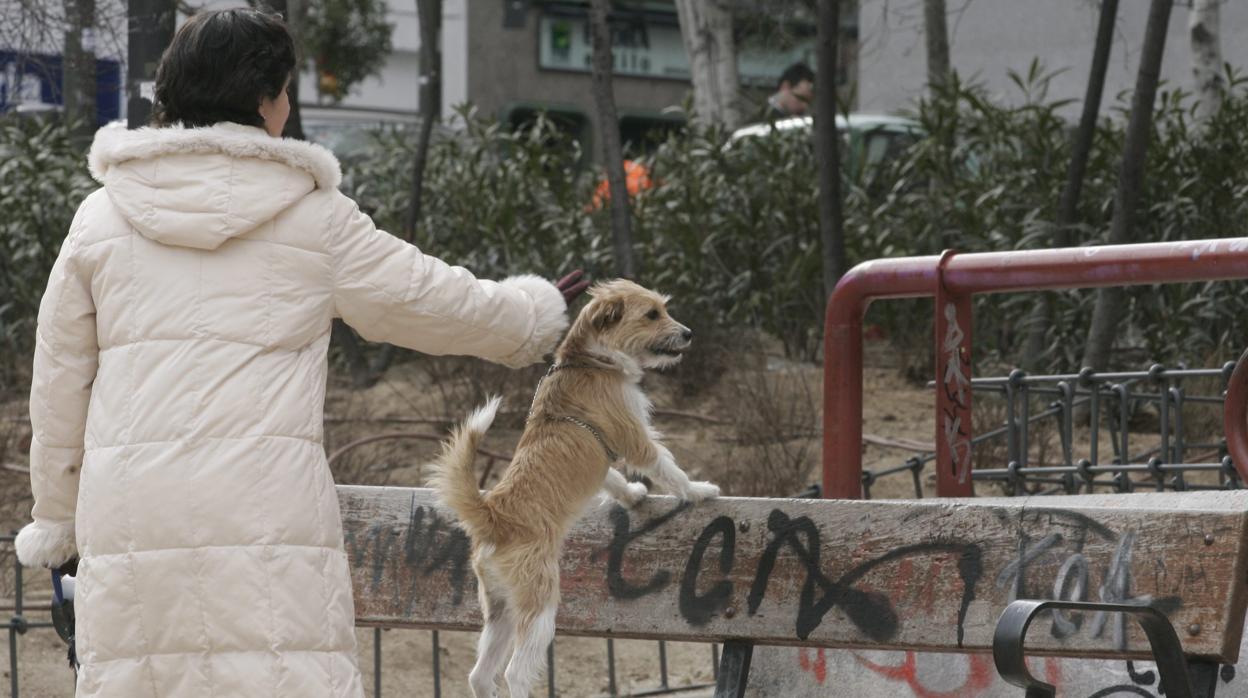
[{"x": 994, "y": 174}]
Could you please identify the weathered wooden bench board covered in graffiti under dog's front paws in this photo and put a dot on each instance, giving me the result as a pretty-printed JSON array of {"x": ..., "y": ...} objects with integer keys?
[{"x": 908, "y": 575}]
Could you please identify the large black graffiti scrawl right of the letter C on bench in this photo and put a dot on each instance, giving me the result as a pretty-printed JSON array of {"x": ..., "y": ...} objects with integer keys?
[{"x": 872, "y": 612}]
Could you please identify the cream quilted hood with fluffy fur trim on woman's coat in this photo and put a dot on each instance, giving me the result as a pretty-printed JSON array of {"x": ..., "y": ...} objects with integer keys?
[{"x": 198, "y": 188}]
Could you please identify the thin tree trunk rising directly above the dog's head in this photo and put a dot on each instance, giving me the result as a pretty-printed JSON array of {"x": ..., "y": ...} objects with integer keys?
[{"x": 608, "y": 127}]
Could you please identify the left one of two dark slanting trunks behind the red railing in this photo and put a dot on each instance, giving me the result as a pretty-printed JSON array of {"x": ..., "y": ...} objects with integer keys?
[{"x": 1069, "y": 204}]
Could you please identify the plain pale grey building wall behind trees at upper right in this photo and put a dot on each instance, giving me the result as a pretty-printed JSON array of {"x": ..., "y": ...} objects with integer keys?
[{"x": 988, "y": 41}]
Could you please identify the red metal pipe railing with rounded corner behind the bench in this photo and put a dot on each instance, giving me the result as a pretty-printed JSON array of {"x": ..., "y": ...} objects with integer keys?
[{"x": 992, "y": 273}]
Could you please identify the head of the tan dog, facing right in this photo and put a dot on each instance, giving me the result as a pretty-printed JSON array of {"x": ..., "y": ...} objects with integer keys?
[{"x": 631, "y": 320}]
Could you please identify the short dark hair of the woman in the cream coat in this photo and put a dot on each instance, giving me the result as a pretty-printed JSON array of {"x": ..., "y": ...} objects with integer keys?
[{"x": 219, "y": 68}]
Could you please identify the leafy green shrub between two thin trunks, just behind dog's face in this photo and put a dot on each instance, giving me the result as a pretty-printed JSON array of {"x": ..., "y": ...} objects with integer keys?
[{"x": 733, "y": 233}]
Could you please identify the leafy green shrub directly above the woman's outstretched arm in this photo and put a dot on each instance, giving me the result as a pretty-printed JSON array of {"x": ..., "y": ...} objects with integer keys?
[{"x": 495, "y": 202}]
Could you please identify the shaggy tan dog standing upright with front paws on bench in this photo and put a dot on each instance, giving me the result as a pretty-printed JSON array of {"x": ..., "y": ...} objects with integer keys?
[{"x": 588, "y": 414}]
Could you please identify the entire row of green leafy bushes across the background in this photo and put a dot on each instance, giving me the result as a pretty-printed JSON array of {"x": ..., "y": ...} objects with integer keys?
[{"x": 732, "y": 230}]
